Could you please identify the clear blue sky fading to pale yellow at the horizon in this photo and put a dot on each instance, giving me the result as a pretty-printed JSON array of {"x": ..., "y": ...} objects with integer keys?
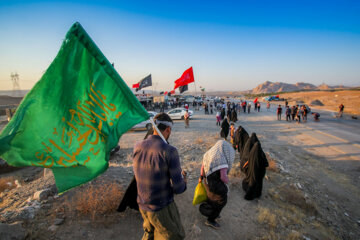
[{"x": 231, "y": 45}]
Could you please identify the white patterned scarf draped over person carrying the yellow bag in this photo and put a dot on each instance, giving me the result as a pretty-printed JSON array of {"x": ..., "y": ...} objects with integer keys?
[{"x": 221, "y": 155}]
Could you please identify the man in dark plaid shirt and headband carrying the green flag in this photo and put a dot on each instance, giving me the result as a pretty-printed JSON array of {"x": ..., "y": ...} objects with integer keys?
[{"x": 158, "y": 175}]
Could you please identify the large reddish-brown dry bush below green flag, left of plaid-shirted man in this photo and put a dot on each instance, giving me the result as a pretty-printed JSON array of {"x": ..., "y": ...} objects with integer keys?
[{"x": 95, "y": 200}]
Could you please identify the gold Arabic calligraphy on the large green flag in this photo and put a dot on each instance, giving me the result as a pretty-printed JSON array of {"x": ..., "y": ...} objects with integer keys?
[{"x": 84, "y": 115}]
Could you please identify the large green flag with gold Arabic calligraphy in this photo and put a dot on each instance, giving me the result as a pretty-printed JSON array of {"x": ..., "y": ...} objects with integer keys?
[{"x": 73, "y": 116}]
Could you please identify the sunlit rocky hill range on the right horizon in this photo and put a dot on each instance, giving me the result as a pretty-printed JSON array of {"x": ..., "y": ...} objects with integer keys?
[{"x": 269, "y": 87}]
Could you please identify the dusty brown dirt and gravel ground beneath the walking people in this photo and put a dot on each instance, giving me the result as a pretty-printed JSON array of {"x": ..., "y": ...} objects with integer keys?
[{"x": 311, "y": 190}]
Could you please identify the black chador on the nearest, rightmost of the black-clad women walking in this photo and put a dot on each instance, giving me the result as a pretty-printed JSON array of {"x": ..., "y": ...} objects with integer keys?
[{"x": 255, "y": 172}]
